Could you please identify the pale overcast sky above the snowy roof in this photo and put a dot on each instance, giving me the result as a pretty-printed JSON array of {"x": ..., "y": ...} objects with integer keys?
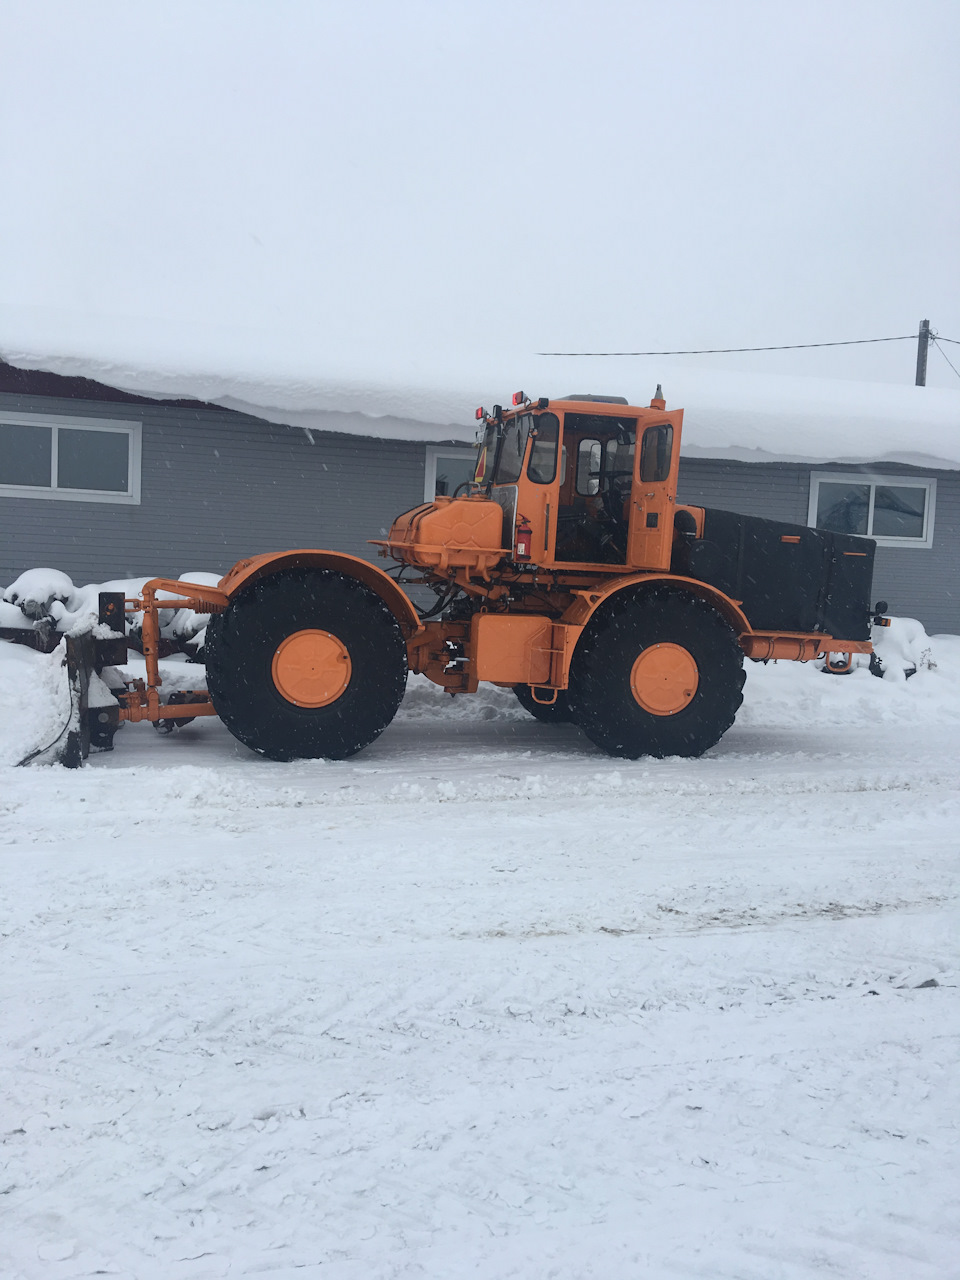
[{"x": 327, "y": 190}]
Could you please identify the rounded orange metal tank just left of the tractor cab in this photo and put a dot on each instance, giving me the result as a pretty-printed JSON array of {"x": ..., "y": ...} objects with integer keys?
[{"x": 449, "y": 534}]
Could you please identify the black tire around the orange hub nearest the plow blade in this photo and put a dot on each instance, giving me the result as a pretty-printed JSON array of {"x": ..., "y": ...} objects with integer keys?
[{"x": 240, "y": 652}]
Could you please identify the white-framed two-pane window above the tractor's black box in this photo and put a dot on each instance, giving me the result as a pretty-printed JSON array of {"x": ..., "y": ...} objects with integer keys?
[{"x": 897, "y": 511}]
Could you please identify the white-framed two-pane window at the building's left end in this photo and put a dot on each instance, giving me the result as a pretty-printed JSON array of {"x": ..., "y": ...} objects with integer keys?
[{"x": 79, "y": 460}]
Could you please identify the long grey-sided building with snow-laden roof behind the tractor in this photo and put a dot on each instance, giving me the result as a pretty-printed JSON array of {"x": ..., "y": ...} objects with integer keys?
[{"x": 103, "y": 482}]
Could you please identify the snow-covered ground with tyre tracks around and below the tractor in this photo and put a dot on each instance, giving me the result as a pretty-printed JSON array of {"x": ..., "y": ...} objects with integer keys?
[{"x": 484, "y": 1003}]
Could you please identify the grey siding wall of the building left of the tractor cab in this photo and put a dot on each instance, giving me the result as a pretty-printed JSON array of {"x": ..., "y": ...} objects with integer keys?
[{"x": 217, "y": 487}]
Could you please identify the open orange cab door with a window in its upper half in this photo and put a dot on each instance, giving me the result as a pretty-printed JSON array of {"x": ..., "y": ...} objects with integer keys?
[{"x": 655, "y": 495}]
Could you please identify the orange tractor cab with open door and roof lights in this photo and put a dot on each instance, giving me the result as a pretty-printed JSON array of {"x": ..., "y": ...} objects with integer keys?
[{"x": 584, "y": 483}]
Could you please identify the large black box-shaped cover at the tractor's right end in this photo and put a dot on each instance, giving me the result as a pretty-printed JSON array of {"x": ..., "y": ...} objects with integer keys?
[{"x": 789, "y": 578}]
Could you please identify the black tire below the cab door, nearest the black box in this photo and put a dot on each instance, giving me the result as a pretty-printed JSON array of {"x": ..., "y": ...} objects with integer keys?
[{"x": 602, "y": 694}]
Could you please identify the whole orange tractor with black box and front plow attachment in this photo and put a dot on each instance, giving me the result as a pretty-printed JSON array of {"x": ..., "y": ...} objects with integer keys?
[{"x": 566, "y": 570}]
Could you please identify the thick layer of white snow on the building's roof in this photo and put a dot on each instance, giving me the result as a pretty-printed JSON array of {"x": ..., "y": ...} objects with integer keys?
[{"x": 746, "y": 417}]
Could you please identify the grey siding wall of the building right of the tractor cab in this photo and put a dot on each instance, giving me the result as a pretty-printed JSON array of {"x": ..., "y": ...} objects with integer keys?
[{"x": 917, "y": 583}]
